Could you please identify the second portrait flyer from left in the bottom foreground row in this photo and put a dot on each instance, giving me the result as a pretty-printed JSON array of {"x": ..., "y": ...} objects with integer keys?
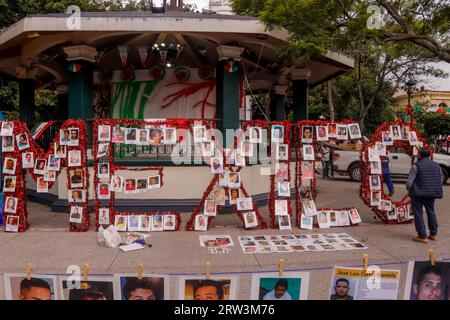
[{"x": 97, "y": 288}]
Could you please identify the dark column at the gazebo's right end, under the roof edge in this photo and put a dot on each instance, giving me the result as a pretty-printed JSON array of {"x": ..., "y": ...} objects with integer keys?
[{"x": 300, "y": 81}]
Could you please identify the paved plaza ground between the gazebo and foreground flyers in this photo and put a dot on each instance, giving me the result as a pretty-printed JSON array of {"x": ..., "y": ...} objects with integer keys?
[{"x": 51, "y": 248}]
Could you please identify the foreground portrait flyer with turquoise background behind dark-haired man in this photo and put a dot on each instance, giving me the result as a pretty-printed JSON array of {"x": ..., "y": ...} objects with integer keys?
[{"x": 270, "y": 286}]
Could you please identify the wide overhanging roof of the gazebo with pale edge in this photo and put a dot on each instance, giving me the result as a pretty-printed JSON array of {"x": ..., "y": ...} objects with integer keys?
[{"x": 37, "y": 41}]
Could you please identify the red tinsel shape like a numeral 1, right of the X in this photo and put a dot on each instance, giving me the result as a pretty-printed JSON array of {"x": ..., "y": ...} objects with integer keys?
[{"x": 273, "y": 181}]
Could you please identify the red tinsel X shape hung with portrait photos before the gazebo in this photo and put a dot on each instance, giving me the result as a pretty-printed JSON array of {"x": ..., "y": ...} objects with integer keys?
[{"x": 190, "y": 224}]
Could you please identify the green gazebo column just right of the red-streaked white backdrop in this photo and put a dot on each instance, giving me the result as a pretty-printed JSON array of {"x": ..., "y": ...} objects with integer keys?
[{"x": 227, "y": 92}]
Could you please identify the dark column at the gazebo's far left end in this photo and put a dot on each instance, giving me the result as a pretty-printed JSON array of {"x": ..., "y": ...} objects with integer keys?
[{"x": 27, "y": 106}]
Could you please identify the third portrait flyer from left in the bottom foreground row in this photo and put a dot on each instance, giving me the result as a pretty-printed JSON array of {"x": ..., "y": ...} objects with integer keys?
[{"x": 149, "y": 287}]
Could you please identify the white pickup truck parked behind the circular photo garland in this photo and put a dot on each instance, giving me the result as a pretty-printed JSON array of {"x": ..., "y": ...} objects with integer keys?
[{"x": 346, "y": 162}]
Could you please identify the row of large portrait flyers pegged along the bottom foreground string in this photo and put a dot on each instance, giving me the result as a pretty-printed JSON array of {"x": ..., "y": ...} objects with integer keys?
[{"x": 423, "y": 282}]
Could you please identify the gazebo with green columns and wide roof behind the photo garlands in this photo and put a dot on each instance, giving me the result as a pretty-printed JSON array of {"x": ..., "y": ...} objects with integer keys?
[{"x": 129, "y": 64}]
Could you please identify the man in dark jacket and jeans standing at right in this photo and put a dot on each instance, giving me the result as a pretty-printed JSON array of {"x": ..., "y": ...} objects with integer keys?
[{"x": 425, "y": 185}]
